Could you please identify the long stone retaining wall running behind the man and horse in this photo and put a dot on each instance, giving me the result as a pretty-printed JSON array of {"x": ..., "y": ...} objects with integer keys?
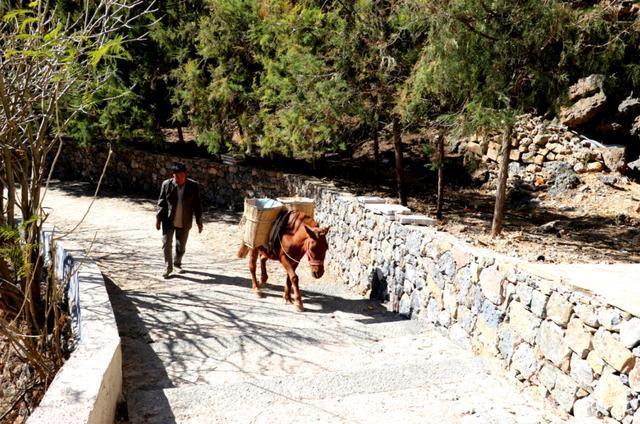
[{"x": 578, "y": 346}]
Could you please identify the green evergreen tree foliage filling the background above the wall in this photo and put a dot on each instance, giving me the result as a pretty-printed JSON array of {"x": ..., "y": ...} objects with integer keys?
[{"x": 307, "y": 77}]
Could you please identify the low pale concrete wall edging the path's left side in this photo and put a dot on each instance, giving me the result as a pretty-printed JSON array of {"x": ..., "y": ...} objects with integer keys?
[{"x": 88, "y": 386}]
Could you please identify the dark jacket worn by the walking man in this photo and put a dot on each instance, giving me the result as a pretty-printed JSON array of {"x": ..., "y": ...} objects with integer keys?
[{"x": 191, "y": 203}]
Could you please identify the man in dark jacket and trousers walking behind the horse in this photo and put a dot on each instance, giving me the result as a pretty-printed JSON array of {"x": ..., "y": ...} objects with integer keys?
[{"x": 178, "y": 203}]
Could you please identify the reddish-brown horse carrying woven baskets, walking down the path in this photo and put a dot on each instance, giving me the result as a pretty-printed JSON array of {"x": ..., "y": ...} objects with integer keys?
[{"x": 300, "y": 235}]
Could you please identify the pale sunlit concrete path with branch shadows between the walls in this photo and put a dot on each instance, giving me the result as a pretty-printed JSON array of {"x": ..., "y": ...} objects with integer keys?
[{"x": 201, "y": 348}]
